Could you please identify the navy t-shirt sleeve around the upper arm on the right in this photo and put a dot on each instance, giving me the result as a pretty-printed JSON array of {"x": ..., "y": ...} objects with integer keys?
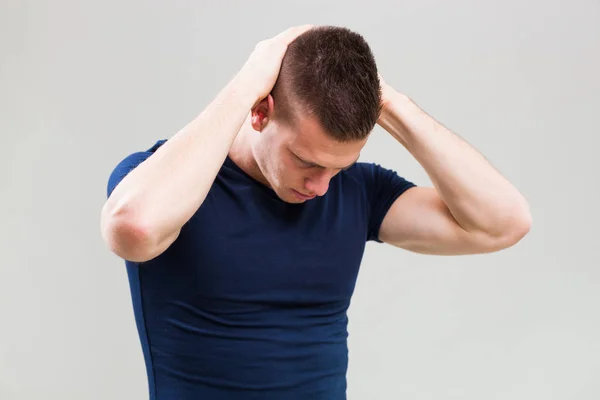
[{"x": 383, "y": 187}]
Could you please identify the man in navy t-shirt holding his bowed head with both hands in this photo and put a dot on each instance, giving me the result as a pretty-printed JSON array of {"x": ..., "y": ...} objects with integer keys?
[{"x": 243, "y": 233}]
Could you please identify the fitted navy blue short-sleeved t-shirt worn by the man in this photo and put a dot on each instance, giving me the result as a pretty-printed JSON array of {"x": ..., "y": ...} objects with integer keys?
[{"x": 250, "y": 301}]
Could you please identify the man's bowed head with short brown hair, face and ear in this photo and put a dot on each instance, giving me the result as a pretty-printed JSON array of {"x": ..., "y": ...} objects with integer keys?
[{"x": 318, "y": 117}]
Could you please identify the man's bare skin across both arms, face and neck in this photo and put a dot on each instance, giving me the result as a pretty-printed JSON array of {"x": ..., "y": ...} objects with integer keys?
[{"x": 470, "y": 209}]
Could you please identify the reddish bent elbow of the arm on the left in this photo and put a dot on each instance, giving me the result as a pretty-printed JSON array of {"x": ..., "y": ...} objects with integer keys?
[{"x": 126, "y": 235}]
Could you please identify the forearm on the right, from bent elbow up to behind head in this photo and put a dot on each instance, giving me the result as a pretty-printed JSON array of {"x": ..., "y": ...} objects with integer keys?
[{"x": 477, "y": 195}]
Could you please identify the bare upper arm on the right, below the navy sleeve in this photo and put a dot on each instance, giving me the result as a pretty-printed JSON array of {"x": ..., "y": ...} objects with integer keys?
[{"x": 420, "y": 221}]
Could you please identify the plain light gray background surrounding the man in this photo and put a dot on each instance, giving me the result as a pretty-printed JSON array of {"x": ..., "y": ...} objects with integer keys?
[{"x": 85, "y": 83}]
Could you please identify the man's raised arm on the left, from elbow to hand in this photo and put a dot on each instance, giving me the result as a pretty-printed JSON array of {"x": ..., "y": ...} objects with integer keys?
[{"x": 147, "y": 209}]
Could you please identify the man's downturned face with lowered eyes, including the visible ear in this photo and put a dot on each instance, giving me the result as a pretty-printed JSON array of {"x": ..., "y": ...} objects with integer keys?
[{"x": 299, "y": 161}]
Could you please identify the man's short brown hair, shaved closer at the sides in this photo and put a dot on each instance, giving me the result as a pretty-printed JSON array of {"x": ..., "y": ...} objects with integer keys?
[{"x": 330, "y": 72}]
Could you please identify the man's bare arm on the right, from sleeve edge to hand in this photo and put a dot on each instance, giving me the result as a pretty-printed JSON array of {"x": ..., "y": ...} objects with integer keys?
[{"x": 471, "y": 209}]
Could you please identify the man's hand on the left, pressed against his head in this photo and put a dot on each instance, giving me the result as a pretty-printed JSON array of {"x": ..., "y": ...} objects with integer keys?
[{"x": 261, "y": 70}]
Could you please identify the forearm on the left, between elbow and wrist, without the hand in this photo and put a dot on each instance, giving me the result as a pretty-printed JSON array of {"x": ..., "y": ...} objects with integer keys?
[{"x": 159, "y": 196}]
